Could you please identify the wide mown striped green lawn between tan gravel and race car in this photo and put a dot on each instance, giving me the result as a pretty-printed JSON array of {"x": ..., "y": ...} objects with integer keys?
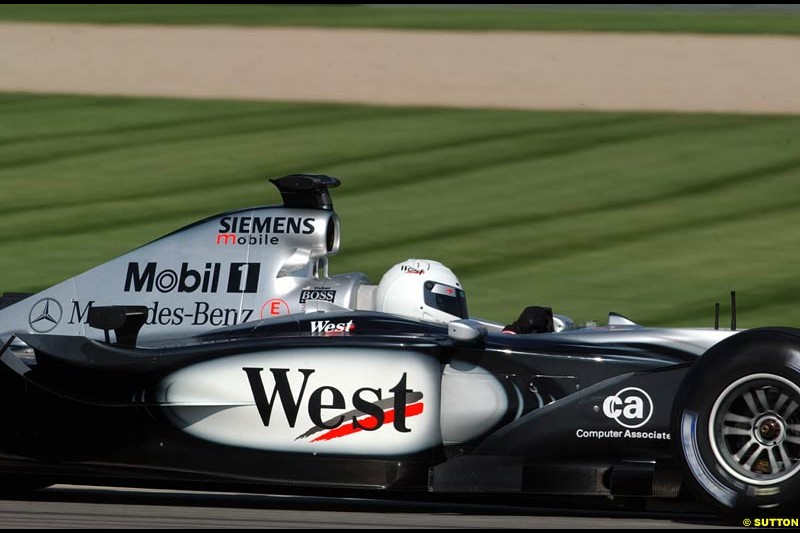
[{"x": 656, "y": 216}]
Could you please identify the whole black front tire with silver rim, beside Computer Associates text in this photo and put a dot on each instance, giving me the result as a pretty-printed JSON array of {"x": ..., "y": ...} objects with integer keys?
[{"x": 736, "y": 423}]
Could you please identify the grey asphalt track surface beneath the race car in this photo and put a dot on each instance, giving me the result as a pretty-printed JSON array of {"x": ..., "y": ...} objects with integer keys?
[{"x": 64, "y": 506}]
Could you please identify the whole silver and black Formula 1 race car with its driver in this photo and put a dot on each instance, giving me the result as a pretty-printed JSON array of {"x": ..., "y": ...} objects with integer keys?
[{"x": 224, "y": 353}]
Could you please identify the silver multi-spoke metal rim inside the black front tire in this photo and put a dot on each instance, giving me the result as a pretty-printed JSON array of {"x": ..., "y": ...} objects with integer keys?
[{"x": 755, "y": 429}]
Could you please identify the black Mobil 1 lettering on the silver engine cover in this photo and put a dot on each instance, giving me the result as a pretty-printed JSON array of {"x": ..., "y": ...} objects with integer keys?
[{"x": 242, "y": 277}]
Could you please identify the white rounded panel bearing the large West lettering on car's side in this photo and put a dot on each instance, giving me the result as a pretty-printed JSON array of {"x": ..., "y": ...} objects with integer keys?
[{"x": 322, "y": 400}]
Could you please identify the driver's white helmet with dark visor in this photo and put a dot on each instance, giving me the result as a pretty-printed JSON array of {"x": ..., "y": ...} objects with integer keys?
[{"x": 422, "y": 289}]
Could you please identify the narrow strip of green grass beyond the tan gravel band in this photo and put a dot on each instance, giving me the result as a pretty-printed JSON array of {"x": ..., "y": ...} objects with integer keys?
[{"x": 354, "y": 16}]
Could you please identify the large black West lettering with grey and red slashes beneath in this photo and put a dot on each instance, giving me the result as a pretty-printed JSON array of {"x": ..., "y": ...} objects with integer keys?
[{"x": 368, "y": 411}]
